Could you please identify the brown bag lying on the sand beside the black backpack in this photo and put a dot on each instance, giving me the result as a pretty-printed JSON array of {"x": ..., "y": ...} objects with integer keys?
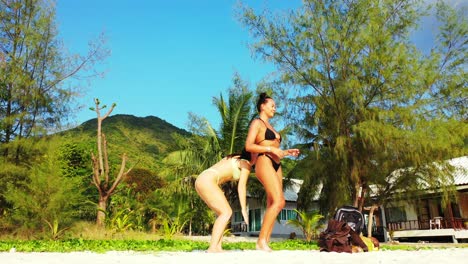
[{"x": 336, "y": 237}]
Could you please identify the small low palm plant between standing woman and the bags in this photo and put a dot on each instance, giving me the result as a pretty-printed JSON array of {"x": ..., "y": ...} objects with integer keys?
[{"x": 308, "y": 222}]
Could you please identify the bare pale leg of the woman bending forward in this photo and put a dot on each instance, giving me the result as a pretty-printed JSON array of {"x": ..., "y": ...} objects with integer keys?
[{"x": 214, "y": 197}]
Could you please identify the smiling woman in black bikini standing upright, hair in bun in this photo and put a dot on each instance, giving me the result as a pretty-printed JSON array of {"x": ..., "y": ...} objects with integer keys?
[{"x": 262, "y": 138}]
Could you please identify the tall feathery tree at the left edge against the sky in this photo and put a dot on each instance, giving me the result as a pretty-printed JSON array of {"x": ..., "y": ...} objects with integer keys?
[{"x": 34, "y": 69}]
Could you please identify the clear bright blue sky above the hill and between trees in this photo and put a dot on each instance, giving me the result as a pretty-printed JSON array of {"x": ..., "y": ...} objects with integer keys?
[{"x": 168, "y": 58}]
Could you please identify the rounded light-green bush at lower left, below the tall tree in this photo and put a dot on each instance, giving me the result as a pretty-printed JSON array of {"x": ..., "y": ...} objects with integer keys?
[{"x": 45, "y": 198}]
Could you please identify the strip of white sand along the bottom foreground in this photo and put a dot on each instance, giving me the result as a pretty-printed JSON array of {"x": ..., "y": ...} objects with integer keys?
[{"x": 436, "y": 256}]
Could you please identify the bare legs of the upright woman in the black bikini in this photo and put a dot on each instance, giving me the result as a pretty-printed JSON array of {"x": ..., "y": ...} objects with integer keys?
[{"x": 275, "y": 200}]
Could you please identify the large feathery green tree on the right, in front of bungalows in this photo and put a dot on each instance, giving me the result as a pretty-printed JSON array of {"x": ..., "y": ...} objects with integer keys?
[{"x": 364, "y": 99}]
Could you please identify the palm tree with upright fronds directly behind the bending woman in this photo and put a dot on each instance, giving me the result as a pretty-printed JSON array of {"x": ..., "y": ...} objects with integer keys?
[{"x": 207, "y": 146}]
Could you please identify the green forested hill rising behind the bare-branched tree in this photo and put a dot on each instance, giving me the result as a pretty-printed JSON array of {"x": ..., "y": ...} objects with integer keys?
[{"x": 145, "y": 140}]
